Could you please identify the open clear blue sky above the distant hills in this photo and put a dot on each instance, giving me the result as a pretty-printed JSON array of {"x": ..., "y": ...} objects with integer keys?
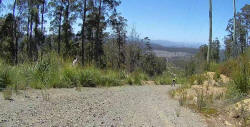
[{"x": 178, "y": 20}]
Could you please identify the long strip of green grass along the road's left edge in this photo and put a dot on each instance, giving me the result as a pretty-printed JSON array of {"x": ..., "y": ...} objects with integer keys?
[{"x": 54, "y": 72}]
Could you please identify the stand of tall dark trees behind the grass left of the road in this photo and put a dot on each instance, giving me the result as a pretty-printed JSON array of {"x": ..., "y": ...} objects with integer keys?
[{"x": 39, "y": 33}]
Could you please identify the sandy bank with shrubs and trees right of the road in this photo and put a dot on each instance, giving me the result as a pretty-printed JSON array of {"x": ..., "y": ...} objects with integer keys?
[{"x": 221, "y": 88}]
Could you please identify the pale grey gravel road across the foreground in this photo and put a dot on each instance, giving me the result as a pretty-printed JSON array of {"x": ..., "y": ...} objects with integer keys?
[{"x": 125, "y": 106}]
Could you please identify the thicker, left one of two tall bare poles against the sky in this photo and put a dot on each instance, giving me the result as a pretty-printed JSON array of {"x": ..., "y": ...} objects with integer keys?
[{"x": 210, "y": 30}]
